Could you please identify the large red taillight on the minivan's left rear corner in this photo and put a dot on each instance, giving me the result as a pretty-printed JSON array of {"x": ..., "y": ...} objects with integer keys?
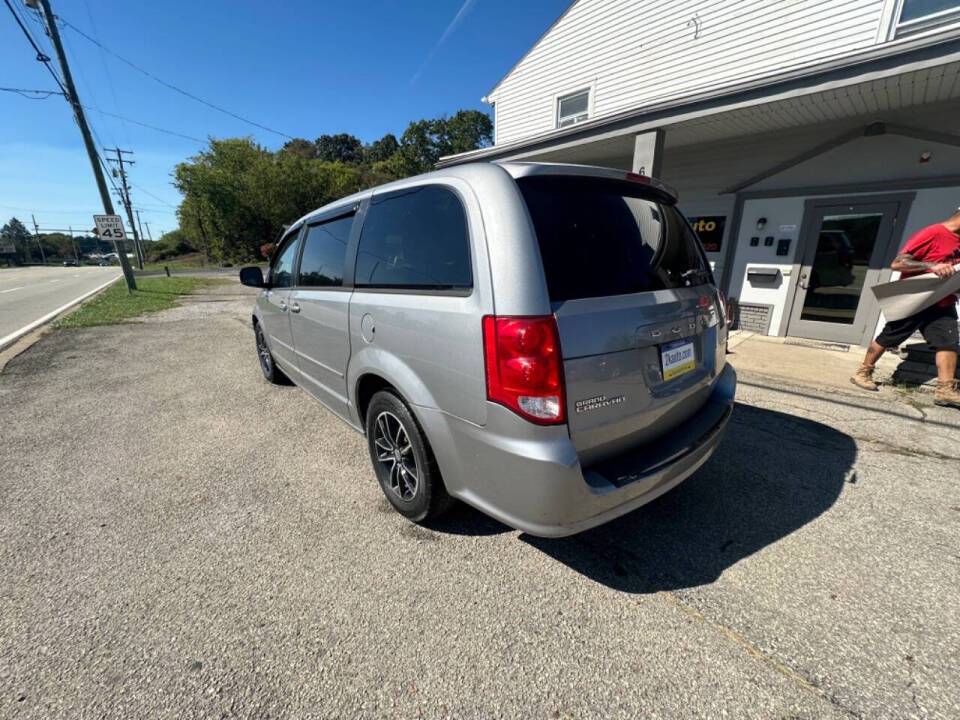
[{"x": 523, "y": 366}]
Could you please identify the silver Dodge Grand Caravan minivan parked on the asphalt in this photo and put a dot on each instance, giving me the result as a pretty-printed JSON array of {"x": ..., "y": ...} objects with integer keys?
[{"x": 543, "y": 342}]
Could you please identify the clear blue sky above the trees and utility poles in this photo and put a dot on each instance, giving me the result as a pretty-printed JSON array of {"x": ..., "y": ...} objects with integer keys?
[{"x": 303, "y": 68}]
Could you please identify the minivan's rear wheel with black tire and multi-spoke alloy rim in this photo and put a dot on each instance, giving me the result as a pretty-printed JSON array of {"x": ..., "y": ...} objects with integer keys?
[{"x": 402, "y": 459}]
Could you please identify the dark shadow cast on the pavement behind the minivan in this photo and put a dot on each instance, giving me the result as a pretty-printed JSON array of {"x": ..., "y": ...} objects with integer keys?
[{"x": 772, "y": 474}]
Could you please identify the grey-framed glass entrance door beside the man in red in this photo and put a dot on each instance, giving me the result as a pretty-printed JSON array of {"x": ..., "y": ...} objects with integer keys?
[{"x": 845, "y": 249}]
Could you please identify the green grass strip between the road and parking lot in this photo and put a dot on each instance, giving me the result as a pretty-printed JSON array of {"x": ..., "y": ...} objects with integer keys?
[{"x": 115, "y": 304}]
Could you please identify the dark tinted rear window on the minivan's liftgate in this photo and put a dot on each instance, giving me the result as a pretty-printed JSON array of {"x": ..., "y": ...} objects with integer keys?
[{"x": 602, "y": 237}]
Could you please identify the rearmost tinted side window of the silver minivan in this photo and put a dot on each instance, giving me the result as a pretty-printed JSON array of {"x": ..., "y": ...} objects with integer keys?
[{"x": 415, "y": 238}]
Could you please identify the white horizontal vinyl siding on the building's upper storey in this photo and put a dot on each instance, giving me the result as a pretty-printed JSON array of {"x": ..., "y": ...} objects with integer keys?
[{"x": 636, "y": 52}]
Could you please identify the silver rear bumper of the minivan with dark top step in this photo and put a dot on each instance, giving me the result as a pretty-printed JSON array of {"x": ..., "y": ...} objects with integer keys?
[{"x": 530, "y": 477}]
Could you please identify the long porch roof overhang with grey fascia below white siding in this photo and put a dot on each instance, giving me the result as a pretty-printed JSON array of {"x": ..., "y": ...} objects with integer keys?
[{"x": 892, "y": 75}]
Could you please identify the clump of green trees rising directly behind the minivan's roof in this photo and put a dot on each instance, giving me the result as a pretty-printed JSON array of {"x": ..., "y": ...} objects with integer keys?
[{"x": 238, "y": 195}]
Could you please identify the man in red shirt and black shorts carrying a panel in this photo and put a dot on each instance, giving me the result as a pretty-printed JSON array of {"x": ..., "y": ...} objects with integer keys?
[{"x": 934, "y": 249}]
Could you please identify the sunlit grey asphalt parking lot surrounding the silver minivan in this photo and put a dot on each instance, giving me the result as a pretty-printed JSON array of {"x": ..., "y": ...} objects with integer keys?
[{"x": 179, "y": 539}]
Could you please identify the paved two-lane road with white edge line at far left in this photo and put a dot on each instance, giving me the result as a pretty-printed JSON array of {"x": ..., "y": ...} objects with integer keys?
[{"x": 29, "y": 293}]
